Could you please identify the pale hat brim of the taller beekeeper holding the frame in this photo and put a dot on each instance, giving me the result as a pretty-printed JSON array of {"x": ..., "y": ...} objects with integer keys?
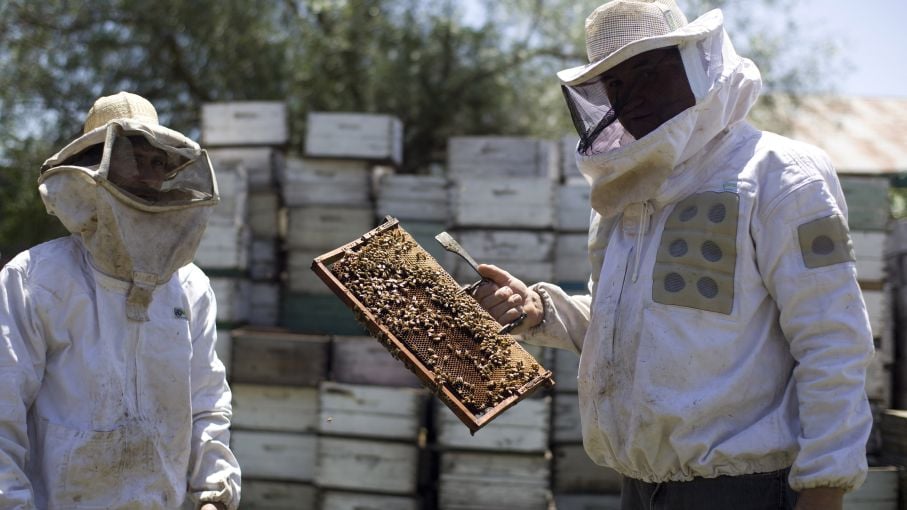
[{"x": 695, "y": 30}]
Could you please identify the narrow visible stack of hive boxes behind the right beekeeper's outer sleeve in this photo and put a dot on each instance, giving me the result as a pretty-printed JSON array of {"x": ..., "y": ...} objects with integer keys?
[{"x": 868, "y": 217}]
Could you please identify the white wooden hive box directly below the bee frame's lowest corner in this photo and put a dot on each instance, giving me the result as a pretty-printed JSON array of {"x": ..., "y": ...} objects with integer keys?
[{"x": 523, "y": 429}]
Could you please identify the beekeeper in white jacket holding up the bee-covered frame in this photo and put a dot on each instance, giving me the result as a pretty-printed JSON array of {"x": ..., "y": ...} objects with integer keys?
[{"x": 724, "y": 340}]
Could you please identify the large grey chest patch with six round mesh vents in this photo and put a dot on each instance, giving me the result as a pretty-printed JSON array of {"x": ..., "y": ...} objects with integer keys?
[{"x": 698, "y": 253}]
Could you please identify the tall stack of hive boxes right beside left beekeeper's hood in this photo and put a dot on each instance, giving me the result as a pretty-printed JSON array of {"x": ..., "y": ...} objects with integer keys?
[{"x": 239, "y": 250}]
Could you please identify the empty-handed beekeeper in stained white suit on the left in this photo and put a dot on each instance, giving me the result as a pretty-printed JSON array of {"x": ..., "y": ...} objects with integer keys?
[{"x": 113, "y": 396}]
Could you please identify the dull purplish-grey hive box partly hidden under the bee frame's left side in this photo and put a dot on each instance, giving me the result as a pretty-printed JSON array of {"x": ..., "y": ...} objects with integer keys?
[{"x": 362, "y": 360}]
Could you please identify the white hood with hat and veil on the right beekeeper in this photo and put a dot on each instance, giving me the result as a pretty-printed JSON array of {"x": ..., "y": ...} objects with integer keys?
[{"x": 621, "y": 169}]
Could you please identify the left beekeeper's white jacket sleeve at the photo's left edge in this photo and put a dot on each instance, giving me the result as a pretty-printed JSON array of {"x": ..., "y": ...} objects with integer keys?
[{"x": 22, "y": 361}]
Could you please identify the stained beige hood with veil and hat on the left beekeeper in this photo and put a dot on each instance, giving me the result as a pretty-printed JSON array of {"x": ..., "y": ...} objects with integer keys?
[{"x": 138, "y": 194}]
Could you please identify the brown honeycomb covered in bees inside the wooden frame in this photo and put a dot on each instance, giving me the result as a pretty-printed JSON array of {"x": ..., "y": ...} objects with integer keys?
[{"x": 425, "y": 309}]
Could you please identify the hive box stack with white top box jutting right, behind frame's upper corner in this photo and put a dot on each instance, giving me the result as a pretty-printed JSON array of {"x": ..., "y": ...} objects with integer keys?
[{"x": 328, "y": 195}]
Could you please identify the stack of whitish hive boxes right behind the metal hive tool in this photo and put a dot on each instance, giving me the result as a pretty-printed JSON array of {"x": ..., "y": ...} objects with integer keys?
[{"x": 503, "y": 204}]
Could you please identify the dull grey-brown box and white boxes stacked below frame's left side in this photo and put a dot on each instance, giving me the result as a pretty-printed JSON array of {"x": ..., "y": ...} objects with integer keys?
[{"x": 371, "y": 452}]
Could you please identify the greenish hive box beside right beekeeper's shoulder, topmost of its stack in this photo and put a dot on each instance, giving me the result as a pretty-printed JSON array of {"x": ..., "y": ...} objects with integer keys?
[{"x": 868, "y": 207}]
